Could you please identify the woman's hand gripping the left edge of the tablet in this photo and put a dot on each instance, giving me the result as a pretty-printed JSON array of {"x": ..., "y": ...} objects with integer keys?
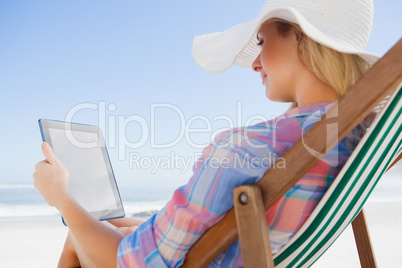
[{"x": 51, "y": 178}]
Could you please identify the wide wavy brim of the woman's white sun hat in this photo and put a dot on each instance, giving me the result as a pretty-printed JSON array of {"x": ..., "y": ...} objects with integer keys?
[{"x": 216, "y": 52}]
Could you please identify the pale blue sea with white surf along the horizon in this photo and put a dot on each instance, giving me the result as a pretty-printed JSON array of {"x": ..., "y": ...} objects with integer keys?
[{"x": 22, "y": 202}]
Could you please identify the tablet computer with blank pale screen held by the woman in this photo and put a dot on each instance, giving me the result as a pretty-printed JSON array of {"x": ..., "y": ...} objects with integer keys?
[{"x": 82, "y": 151}]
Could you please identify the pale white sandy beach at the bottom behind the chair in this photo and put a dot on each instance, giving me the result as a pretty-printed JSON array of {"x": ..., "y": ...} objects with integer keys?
[{"x": 39, "y": 243}]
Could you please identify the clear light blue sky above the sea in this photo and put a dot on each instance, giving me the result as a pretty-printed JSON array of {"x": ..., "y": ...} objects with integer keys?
[{"x": 127, "y": 65}]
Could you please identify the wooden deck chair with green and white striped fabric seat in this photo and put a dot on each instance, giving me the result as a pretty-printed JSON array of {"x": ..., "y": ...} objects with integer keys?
[{"x": 379, "y": 91}]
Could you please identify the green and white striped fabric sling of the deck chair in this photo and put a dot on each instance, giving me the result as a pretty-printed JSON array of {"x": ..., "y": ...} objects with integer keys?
[{"x": 344, "y": 199}]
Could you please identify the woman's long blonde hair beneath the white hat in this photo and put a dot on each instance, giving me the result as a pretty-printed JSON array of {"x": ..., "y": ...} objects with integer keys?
[{"x": 336, "y": 69}]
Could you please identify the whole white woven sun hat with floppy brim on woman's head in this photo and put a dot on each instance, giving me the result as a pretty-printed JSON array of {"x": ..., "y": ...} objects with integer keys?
[{"x": 343, "y": 25}]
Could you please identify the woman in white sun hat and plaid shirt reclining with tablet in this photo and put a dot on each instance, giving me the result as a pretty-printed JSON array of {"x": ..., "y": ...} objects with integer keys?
[{"x": 308, "y": 53}]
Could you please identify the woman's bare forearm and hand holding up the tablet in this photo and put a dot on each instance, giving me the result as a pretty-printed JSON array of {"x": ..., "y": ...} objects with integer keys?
[{"x": 99, "y": 242}]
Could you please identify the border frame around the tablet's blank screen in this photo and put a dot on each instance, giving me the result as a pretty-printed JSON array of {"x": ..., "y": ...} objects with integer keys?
[{"x": 108, "y": 214}]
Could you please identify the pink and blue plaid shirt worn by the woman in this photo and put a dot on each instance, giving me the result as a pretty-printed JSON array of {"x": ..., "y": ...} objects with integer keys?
[{"x": 237, "y": 156}]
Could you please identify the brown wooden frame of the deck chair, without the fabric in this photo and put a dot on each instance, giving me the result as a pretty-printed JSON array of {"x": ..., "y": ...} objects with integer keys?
[{"x": 247, "y": 219}]
